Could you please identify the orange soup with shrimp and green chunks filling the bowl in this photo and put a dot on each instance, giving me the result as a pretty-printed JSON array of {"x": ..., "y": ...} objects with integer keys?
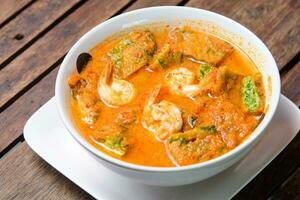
[{"x": 166, "y": 96}]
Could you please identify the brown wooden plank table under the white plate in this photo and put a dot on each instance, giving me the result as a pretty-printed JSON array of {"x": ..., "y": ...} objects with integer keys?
[{"x": 36, "y": 35}]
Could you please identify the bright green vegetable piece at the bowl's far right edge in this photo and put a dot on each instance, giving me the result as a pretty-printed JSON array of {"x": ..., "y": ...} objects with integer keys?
[{"x": 250, "y": 96}]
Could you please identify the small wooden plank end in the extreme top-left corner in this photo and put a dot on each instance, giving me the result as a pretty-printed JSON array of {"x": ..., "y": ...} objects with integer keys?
[{"x": 10, "y": 7}]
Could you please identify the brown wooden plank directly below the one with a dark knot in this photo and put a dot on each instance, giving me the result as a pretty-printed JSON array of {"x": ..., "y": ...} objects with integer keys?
[{"x": 53, "y": 45}]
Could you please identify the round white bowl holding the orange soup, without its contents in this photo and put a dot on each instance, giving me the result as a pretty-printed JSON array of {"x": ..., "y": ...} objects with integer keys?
[{"x": 208, "y": 21}]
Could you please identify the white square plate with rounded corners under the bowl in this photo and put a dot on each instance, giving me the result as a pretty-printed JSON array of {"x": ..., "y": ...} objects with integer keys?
[{"x": 46, "y": 135}]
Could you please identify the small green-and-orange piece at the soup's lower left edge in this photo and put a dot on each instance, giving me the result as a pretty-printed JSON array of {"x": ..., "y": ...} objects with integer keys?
[{"x": 114, "y": 144}]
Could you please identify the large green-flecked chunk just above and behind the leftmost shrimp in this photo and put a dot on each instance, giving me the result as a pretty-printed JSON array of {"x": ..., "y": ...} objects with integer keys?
[{"x": 132, "y": 53}]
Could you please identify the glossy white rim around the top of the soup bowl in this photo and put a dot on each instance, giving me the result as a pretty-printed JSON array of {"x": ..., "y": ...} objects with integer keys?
[{"x": 253, "y": 137}]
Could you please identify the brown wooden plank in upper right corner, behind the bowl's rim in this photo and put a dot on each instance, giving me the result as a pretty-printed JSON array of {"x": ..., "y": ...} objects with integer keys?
[{"x": 275, "y": 22}]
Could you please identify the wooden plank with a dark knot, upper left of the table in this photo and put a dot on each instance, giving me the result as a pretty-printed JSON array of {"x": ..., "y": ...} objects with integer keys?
[{"x": 27, "y": 25}]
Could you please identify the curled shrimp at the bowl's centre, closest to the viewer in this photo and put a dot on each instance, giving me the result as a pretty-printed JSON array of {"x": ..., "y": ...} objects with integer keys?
[{"x": 163, "y": 118}]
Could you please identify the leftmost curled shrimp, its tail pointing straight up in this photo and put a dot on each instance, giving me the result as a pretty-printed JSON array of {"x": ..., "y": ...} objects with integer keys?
[{"x": 114, "y": 92}]
